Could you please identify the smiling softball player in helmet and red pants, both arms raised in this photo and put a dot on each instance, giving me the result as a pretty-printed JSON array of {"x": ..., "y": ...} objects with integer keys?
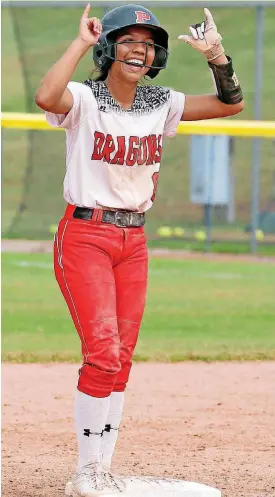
[{"x": 114, "y": 136}]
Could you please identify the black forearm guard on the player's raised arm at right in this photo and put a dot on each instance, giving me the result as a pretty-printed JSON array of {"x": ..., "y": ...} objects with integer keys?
[{"x": 226, "y": 82}]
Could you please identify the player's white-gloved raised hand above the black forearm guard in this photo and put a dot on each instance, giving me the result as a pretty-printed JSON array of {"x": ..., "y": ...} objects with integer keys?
[{"x": 205, "y": 37}]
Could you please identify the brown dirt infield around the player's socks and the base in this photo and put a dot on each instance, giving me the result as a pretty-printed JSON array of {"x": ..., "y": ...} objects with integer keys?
[{"x": 210, "y": 423}]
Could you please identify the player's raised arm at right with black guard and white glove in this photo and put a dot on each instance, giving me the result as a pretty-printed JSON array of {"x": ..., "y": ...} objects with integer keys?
[{"x": 228, "y": 100}]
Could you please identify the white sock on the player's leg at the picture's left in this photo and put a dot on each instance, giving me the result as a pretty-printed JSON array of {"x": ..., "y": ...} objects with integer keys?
[{"x": 90, "y": 420}]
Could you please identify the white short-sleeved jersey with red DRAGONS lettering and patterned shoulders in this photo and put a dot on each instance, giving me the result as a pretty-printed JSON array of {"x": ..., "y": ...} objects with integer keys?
[{"x": 113, "y": 155}]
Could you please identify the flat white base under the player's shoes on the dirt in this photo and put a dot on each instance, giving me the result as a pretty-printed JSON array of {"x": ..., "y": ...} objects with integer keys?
[{"x": 157, "y": 487}]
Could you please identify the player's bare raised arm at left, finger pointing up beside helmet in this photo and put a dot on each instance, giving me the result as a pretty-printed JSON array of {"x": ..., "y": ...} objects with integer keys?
[{"x": 53, "y": 94}]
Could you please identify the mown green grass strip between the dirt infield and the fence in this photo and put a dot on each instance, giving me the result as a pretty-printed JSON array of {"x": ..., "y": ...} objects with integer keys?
[{"x": 199, "y": 310}]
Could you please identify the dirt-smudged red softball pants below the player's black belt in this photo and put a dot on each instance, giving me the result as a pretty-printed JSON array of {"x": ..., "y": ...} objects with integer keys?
[{"x": 102, "y": 273}]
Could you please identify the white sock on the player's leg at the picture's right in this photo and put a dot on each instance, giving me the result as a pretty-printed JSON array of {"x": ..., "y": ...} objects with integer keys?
[{"x": 110, "y": 433}]
